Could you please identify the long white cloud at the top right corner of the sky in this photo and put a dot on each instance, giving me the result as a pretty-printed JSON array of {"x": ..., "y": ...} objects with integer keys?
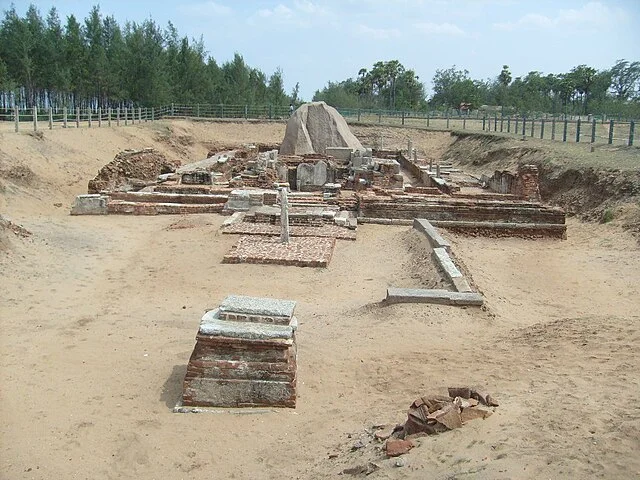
[{"x": 590, "y": 15}]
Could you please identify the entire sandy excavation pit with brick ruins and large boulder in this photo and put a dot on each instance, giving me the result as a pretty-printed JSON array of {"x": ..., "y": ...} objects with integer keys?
[{"x": 311, "y": 298}]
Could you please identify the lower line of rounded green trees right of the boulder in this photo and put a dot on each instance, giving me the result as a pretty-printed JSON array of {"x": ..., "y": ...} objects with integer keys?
[{"x": 583, "y": 90}]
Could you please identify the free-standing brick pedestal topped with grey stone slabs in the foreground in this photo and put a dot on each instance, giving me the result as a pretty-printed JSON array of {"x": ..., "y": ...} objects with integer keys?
[{"x": 245, "y": 356}]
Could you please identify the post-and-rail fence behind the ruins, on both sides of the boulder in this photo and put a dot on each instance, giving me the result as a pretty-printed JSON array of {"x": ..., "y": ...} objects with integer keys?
[{"x": 591, "y": 130}]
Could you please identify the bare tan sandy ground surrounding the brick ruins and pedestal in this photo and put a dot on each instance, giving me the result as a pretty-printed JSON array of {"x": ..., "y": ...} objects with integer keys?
[{"x": 98, "y": 318}]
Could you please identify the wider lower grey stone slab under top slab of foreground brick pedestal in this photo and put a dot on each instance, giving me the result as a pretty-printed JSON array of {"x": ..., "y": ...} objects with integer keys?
[{"x": 212, "y": 325}]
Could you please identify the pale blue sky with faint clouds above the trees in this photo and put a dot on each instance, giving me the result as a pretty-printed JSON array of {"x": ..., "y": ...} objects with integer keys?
[{"x": 316, "y": 41}]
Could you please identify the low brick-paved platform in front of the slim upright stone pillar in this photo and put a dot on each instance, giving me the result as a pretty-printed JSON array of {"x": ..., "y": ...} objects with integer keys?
[{"x": 299, "y": 252}]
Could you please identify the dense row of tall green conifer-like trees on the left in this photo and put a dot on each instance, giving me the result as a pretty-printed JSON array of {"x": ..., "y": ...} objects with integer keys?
[{"x": 98, "y": 63}]
